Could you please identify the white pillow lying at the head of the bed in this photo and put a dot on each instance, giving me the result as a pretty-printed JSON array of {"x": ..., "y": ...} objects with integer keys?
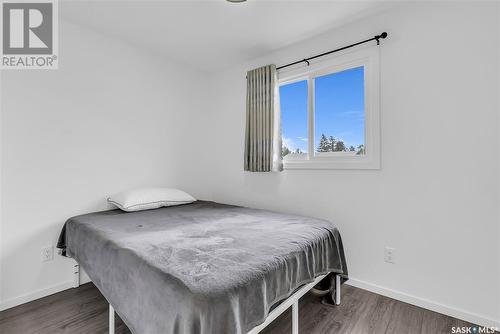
[{"x": 149, "y": 198}]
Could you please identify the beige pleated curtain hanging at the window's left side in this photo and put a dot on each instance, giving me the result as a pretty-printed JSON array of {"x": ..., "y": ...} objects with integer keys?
[{"x": 263, "y": 126}]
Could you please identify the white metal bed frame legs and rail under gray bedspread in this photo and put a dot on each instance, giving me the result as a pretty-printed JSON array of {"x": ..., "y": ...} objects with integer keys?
[{"x": 292, "y": 301}]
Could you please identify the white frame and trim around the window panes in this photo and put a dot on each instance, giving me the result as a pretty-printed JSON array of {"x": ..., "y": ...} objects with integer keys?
[{"x": 369, "y": 58}]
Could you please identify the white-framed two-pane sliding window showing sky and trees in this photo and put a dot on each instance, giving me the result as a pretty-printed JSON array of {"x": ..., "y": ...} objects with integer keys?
[{"x": 330, "y": 113}]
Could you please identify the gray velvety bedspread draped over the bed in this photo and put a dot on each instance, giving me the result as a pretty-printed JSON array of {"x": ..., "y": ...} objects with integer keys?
[{"x": 202, "y": 267}]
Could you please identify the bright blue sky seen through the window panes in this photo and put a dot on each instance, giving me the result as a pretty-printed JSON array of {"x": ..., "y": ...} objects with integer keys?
[{"x": 339, "y": 109}]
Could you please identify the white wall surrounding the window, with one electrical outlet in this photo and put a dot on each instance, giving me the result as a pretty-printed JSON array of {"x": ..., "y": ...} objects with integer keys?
[{"x": 436, "y": 196}]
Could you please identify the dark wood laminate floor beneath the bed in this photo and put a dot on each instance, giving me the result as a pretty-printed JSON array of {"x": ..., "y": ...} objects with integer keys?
[{"x": 84, "y": 310}]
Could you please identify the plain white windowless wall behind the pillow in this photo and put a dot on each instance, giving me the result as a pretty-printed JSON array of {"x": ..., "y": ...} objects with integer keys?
[{"x": 108, "y": 119}]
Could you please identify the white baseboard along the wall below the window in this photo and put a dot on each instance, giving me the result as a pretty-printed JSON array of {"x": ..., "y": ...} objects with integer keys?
[{"x": 424, "y": 303}]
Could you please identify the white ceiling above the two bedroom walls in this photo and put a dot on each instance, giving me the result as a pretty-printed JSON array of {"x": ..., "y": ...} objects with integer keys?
[{"x": 214, "y": 34}]
